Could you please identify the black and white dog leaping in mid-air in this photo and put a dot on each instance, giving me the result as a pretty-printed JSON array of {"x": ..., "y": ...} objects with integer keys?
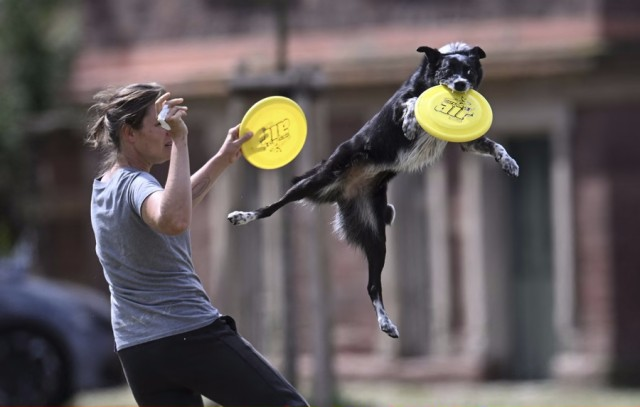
[{"x": 356, "y": 175}]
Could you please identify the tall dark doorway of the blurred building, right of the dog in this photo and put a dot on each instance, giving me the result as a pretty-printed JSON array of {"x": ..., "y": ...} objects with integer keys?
[{"x": 530, "y": 276}]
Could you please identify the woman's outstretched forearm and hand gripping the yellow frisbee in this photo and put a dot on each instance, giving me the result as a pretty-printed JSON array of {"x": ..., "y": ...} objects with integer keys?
[{"x": 203, "y": 179}]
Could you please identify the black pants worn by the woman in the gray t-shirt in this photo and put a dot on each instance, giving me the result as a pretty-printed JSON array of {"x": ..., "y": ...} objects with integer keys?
[{"x": 214, "y": 362}]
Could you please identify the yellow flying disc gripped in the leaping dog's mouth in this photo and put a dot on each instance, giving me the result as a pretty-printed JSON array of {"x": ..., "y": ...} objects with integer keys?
[{"x": 453, "y": 116}]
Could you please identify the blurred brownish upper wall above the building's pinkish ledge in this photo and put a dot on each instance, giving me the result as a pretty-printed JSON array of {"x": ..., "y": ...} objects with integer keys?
[{"x": 121, "y": 22}]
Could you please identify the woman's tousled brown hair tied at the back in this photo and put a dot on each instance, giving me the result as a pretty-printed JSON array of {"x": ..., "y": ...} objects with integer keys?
[{"x": 113, "y": 109}]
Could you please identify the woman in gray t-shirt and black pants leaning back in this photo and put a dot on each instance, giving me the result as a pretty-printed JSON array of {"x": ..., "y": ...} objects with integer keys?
[{"x": 174, "y": 345}]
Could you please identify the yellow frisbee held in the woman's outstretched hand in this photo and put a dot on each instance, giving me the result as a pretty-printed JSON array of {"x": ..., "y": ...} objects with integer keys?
[{"x": 279, "y": 129}]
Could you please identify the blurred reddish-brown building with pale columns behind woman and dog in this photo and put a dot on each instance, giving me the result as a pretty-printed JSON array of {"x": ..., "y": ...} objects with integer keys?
[{"x": 486, "y": 276}]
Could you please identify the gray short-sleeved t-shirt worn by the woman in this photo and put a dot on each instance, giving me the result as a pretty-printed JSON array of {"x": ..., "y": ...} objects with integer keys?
[{"x": 155, "y": 291}]
